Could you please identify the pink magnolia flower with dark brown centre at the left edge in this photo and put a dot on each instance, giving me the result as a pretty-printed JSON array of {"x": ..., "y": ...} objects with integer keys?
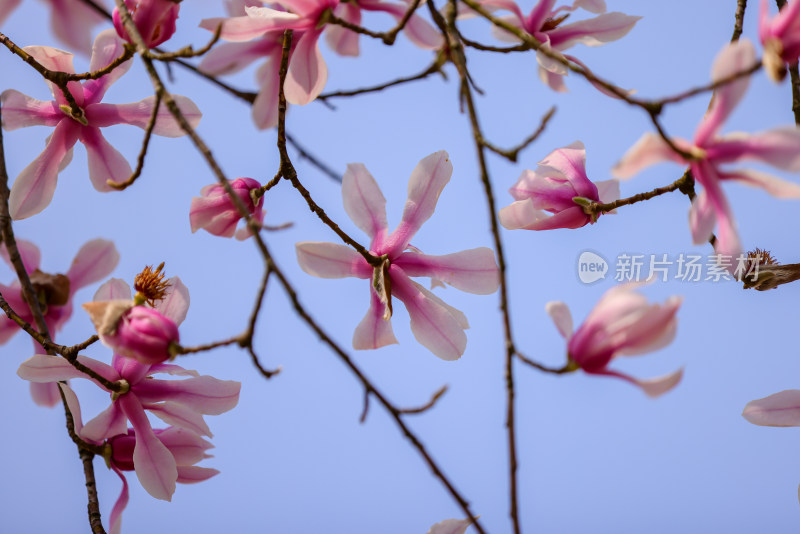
[{"x": 93, "y": 262}]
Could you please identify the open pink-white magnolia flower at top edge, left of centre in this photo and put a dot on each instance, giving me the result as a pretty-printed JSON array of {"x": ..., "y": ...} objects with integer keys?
[{"x": 307, "y": 72}]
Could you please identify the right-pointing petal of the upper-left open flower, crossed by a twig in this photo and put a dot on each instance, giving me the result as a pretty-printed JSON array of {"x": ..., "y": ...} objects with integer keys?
[{"x": 138, "y": 114}]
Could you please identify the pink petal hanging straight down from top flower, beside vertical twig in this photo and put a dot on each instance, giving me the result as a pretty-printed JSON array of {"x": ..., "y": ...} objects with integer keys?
[{"x": 307, "y": 70}]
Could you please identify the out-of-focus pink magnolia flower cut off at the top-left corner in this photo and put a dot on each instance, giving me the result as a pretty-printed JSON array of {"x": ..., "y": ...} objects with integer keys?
[{"x": 71, "y": 21}]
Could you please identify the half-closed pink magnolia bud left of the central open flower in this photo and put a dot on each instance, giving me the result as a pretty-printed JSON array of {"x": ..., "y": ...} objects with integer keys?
[{"x": 215, "y": 213}]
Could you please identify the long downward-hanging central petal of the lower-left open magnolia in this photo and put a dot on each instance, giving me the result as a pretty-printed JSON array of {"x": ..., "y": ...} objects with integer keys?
[{"x": 155, "y": 465}]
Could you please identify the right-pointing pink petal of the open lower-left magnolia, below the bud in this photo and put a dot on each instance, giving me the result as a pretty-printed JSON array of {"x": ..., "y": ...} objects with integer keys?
[{"x": 204, "y": 394}]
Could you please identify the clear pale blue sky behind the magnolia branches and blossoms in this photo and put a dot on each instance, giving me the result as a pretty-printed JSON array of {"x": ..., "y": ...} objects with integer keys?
[{"x": 595, "y": 454}]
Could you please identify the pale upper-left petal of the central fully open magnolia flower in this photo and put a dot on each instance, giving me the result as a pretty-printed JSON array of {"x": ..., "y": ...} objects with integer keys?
[{"x": 363, "y": 201}]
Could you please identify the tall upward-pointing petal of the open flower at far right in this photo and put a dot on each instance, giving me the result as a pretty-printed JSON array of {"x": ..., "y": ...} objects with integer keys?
[{"x": 735, "y": 57}]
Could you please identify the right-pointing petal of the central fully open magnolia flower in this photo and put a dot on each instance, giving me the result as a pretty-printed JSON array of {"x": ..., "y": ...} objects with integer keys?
[{"x": 473, "y": 271}]
